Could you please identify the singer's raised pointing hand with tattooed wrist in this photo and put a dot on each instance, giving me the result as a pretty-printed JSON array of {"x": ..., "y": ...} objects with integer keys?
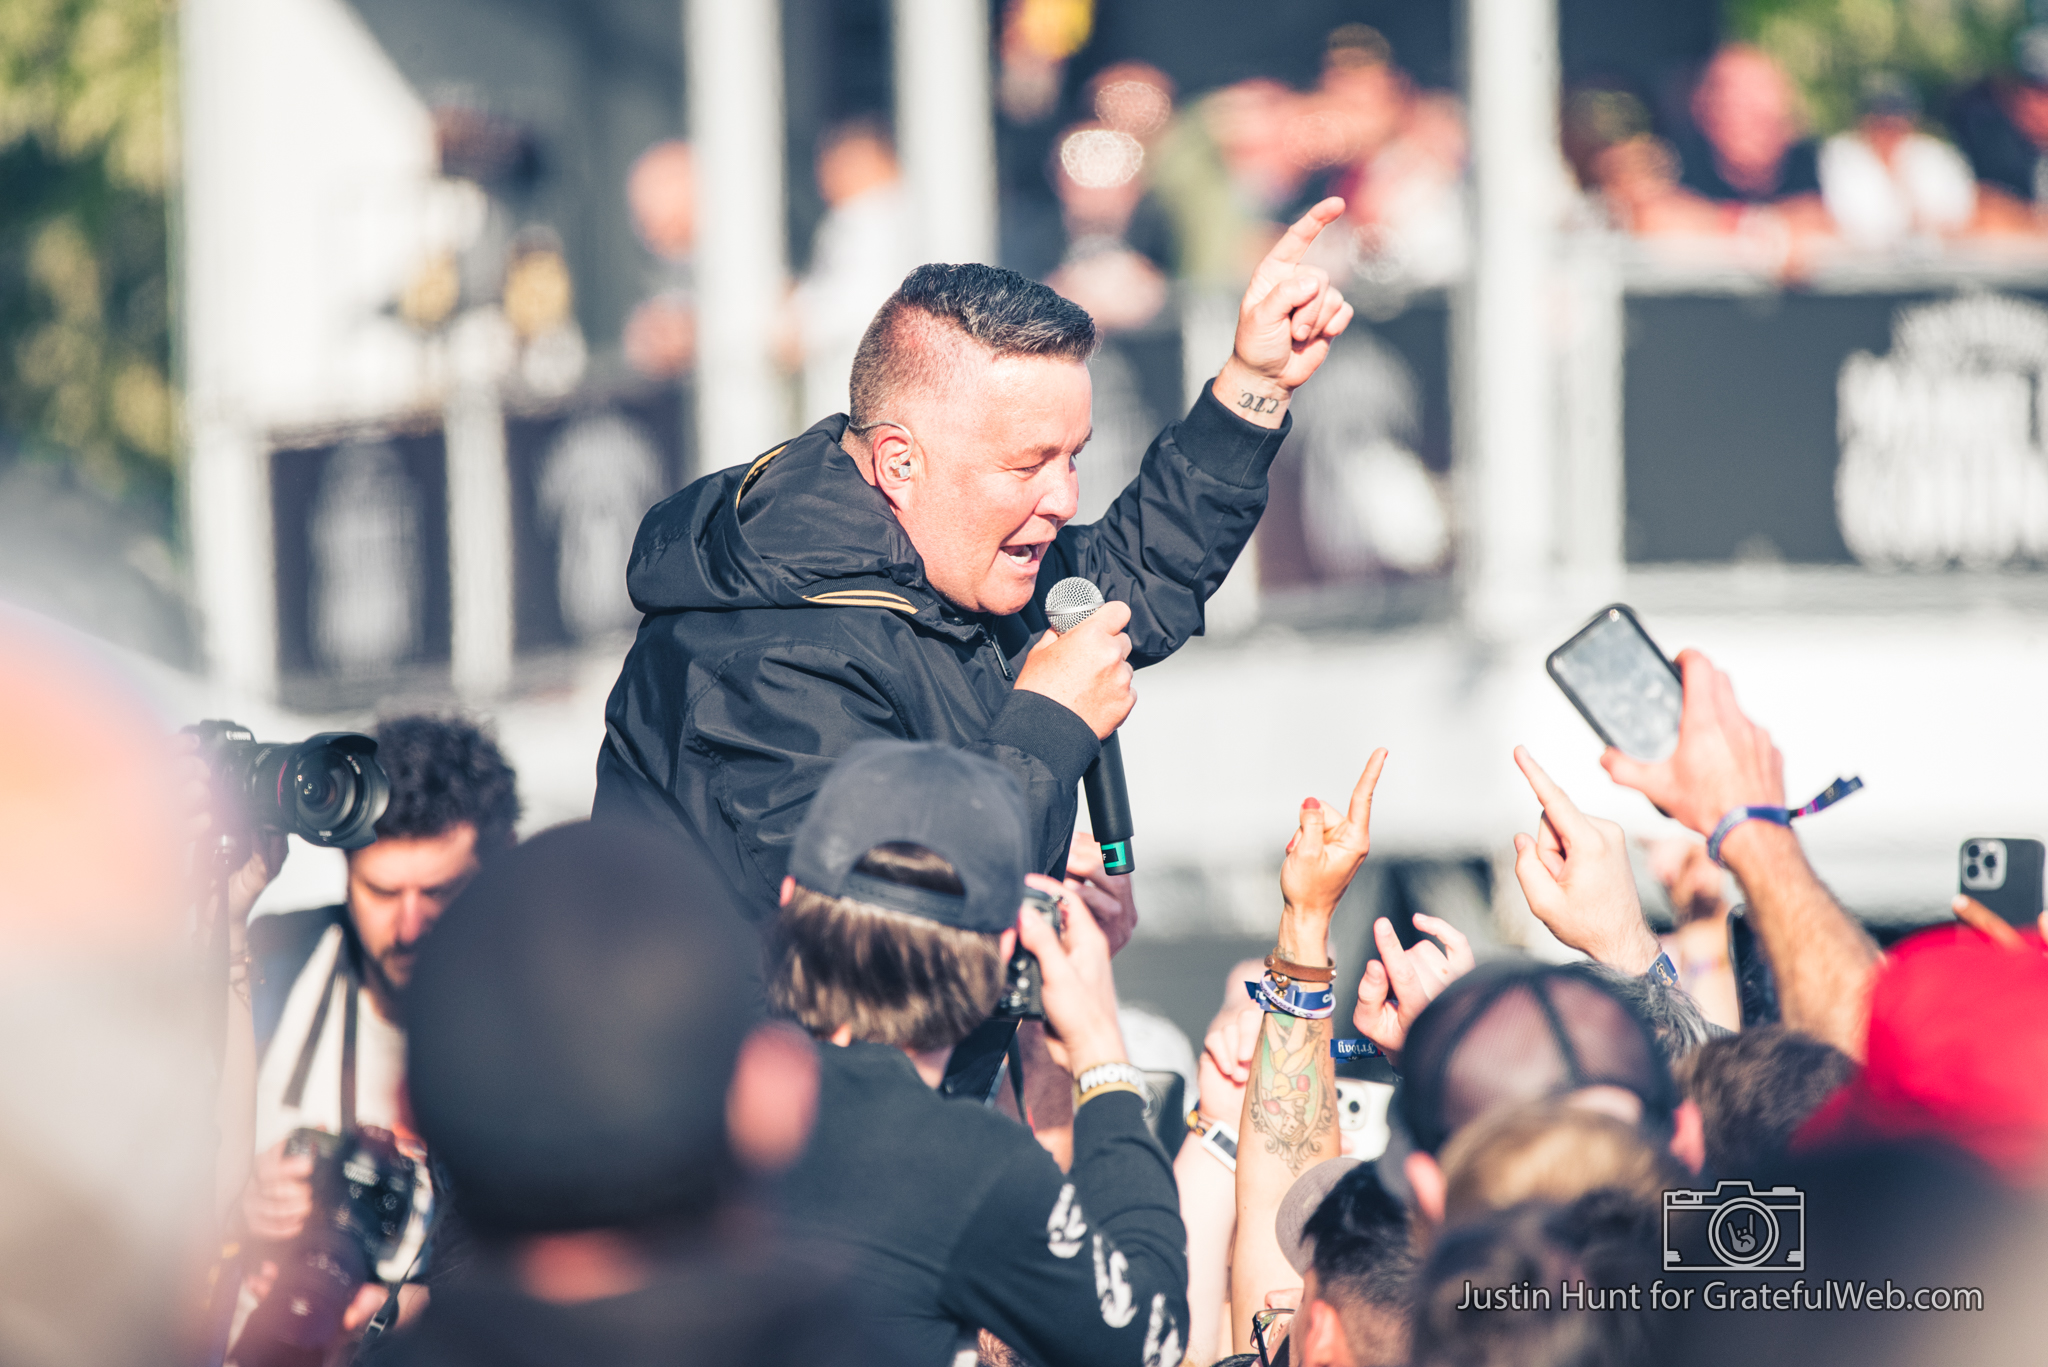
[{"x": 1285, "y": 325}]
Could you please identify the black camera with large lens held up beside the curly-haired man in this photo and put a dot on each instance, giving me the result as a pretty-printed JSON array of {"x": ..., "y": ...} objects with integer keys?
[{"x": 327, "y": 790}]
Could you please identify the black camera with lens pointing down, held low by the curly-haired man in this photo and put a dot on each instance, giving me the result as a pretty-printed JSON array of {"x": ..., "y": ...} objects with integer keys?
[{"x": 361, "y": 1208}]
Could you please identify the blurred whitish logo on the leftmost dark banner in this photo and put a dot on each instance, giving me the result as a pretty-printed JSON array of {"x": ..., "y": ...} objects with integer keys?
[{"x": 366, "y": 530}]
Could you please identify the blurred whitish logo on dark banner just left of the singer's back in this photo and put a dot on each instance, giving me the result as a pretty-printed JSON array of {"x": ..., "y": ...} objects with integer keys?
[{"x": 597, "y": 483}]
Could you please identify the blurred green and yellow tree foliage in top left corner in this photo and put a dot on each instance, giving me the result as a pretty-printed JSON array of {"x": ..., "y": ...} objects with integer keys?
[{"x": 87, "y": 159}]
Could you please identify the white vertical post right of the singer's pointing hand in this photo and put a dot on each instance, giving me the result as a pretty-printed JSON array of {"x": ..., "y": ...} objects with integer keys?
[{"x": 1504, "y": 354}]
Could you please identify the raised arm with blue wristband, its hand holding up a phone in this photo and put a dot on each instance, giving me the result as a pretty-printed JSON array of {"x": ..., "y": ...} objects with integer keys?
[{"x": 1822, "y": 958}]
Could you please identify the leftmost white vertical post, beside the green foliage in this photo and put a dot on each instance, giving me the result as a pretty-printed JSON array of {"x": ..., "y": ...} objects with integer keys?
[{"x": 228, "y": 487}]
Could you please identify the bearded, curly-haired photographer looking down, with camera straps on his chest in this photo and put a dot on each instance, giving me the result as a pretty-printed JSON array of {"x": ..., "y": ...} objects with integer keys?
[{"x": 339, "y": 1202}]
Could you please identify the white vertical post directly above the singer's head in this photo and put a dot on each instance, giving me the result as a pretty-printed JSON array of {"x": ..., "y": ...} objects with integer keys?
[{"x": 947, "y": 126}]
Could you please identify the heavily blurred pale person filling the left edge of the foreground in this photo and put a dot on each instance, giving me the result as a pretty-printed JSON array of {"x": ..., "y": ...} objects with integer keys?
[{"x": 110, "y": 1089}]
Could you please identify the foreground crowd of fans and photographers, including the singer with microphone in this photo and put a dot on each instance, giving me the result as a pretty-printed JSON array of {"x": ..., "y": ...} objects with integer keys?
[{"x": 808, "y": 1046}]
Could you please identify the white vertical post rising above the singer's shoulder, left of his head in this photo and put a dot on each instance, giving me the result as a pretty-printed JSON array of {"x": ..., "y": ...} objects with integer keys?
[{"x": 734, "y": 56}]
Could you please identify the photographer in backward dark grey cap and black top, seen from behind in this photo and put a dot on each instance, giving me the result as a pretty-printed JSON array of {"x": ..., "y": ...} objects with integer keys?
[{"x": 898, "y": 921}]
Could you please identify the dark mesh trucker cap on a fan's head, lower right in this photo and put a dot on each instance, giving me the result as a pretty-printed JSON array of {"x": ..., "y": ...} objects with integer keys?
[{"x": 1521, "y": 1032}]
